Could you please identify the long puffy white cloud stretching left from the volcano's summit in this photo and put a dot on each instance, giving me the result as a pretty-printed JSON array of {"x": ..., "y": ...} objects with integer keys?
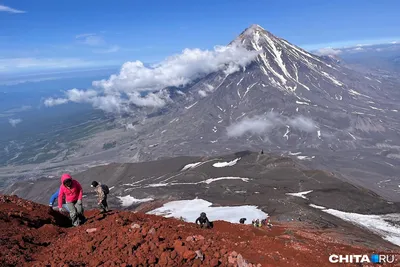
[{"x": 142, "y": 86}]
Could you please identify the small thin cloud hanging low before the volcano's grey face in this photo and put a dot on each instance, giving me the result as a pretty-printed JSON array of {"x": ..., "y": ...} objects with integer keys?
[{"x": 259, "y": 125}]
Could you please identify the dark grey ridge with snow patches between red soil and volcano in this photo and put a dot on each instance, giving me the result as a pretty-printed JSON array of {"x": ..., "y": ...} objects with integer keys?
[{"x": 280, "y": 187}]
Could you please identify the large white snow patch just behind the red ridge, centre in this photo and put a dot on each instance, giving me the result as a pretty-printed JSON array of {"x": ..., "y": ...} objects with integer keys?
[{"x": 190, "y": 210}]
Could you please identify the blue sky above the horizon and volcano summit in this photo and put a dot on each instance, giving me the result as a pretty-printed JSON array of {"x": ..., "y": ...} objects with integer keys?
[{"x": 46, "y": 33}]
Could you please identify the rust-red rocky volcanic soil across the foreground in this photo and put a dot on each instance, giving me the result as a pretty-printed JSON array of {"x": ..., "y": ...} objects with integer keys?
[{"x": 34, "y": 235}]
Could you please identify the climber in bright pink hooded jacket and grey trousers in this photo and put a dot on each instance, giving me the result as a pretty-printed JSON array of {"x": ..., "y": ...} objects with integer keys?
[{"x": 72, "y": 190}]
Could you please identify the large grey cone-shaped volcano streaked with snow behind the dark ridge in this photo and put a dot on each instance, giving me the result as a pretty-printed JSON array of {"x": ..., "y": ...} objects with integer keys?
[{"x": 286, "y": 101}]
